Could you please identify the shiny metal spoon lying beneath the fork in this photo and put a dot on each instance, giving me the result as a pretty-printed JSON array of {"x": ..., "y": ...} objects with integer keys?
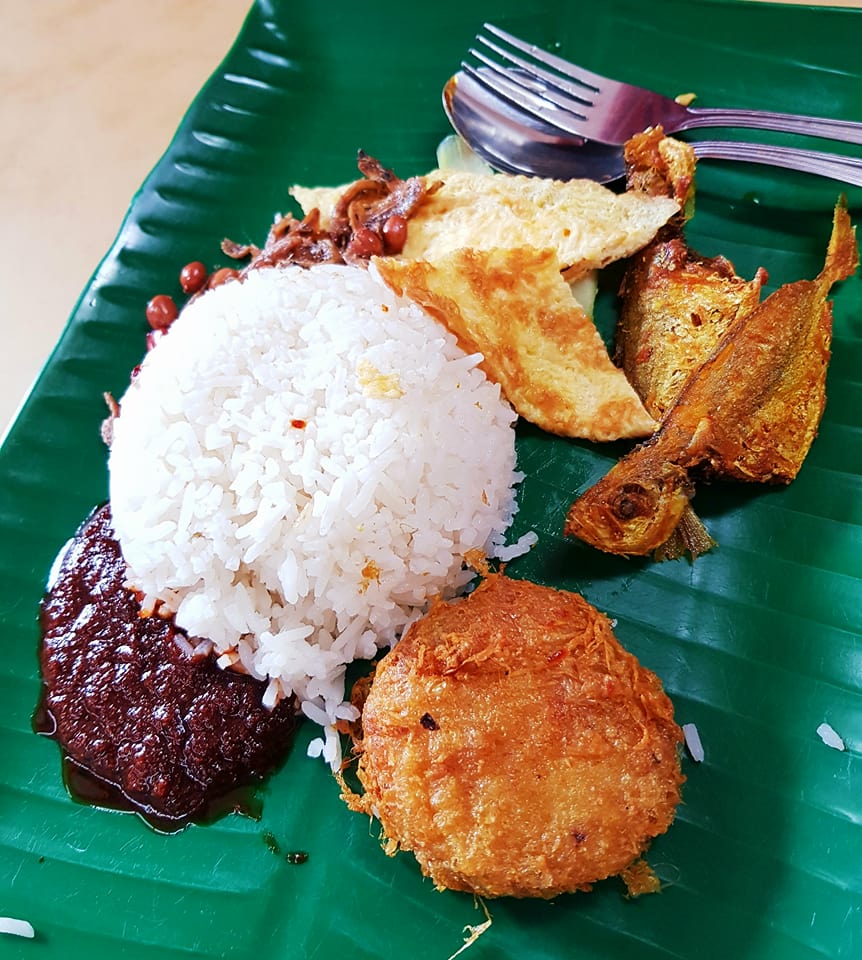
[{"x": 517, "y": 142}]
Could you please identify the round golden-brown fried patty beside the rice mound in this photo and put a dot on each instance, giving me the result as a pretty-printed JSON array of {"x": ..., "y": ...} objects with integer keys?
[{"x": 515, "y": 747}]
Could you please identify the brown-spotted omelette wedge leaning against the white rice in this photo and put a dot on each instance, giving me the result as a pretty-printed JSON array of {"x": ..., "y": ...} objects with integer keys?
[{"x": 513, "y": 306}]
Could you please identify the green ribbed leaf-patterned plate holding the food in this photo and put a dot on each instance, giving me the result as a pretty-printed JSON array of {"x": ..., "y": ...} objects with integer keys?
[{"x": 757, "y": 642}]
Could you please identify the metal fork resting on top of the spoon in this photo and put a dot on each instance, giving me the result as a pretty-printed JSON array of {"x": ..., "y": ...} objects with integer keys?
[{"x": 586, "y": 104}]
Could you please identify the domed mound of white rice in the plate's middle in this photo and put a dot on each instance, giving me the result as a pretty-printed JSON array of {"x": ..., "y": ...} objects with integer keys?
[{"x": 300, "y": 467}]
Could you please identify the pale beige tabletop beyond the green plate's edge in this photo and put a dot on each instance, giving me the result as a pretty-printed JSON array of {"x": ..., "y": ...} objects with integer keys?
[{"x": 92, "y": 91}]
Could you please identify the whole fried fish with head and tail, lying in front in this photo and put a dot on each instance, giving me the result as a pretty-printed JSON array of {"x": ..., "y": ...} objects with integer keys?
[{"x": 750, "y": 412}]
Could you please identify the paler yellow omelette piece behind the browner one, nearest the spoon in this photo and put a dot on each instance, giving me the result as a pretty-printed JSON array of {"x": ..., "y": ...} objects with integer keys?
[{"x": 587, "y": 224}]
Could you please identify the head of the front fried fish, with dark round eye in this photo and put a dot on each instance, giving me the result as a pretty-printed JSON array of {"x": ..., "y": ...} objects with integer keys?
[{"x": 633, "y": 509}]
